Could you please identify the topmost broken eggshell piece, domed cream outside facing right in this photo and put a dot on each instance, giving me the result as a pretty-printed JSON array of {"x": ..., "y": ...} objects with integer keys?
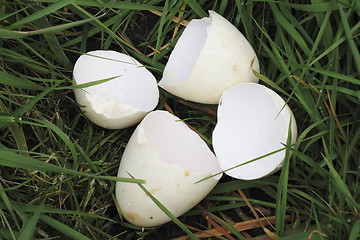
[{"x": 210, "y": 56}]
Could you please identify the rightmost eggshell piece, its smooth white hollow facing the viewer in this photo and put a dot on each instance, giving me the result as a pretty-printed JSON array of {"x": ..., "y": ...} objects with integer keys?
[{"x": 253, "y": 121}]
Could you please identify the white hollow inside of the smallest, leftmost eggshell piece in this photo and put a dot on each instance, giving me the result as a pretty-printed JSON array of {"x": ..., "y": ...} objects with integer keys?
[{"x": 126, "y": 81}]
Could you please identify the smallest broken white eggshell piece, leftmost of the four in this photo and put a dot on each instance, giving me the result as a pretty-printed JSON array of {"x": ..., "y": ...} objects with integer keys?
[{"x": 119, "y": 102}]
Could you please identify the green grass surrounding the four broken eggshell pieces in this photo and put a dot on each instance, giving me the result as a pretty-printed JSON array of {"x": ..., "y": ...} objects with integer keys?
[{"x": 57, "y": 168}]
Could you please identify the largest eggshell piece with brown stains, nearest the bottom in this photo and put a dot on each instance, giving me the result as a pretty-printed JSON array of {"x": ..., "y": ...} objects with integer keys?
[{"x": 171, "y": 158}]
